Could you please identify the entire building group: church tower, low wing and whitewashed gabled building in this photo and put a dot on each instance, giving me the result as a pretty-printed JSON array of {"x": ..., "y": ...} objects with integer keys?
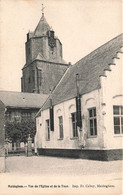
[{"x": 79, "y": 107}]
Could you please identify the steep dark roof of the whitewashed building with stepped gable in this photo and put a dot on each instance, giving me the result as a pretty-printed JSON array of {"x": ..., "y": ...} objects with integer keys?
[{"x": 89, "y": 68}]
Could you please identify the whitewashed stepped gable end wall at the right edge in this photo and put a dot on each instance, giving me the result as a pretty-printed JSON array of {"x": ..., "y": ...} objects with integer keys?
[{"x": 112, "y": 87}]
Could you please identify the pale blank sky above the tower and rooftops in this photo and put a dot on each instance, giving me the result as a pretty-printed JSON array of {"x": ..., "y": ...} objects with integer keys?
[{"x": 81, "y": 26}]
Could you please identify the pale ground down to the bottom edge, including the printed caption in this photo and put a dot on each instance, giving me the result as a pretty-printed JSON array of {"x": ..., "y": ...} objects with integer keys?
[{"x": 37, "y": 174}]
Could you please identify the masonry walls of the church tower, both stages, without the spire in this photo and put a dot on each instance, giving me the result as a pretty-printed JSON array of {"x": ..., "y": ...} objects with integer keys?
[{"x": 51, "y": 72}]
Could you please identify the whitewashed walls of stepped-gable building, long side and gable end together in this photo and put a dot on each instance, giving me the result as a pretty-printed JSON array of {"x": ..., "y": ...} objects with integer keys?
[{"x": 103, "y": 99}]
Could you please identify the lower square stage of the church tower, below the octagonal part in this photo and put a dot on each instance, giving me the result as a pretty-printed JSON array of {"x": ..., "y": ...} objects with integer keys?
[{"x": 51, "y": 74}]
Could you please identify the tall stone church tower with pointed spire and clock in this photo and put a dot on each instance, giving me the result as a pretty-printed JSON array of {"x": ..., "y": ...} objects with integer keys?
[{"x": 44, "y": 63}]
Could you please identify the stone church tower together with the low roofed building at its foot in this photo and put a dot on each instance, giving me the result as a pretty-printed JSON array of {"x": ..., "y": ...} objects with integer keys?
[{"x": 44, "y": 68}]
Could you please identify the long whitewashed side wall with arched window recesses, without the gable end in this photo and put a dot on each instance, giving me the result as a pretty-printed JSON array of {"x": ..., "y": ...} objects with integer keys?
[{"x": 65, "y": 109}]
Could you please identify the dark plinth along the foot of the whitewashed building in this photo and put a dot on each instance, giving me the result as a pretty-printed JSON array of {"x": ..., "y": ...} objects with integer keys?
[{"x": 101, "y": 155}]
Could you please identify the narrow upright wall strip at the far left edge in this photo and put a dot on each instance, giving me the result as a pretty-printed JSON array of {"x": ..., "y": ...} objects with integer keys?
[{"x": 2, "y": 138}]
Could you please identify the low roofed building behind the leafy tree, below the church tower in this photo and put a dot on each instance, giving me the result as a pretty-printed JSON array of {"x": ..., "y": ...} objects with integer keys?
[{"x": 20, "y": 107}]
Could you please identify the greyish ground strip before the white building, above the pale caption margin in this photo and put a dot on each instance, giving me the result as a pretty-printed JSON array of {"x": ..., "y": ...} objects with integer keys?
[{"x": 37, "y": 165}]
